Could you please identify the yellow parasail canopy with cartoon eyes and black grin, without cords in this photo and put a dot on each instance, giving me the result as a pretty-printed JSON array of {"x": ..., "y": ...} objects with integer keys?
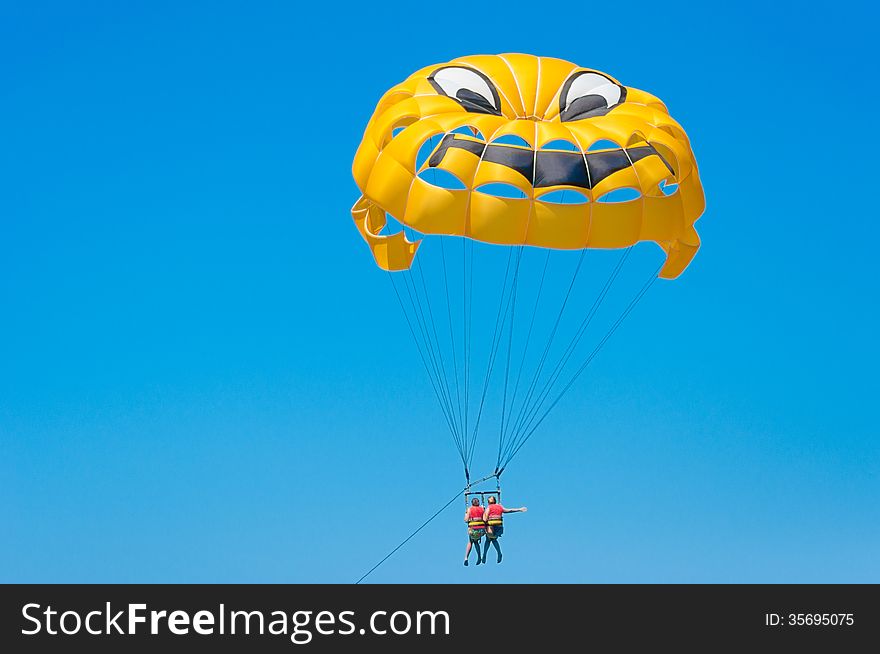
[{"x": 538, "y": 128}]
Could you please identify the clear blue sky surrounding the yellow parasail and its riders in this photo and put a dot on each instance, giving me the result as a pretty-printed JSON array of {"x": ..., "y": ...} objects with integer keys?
[{"x": 205, "y": 379}]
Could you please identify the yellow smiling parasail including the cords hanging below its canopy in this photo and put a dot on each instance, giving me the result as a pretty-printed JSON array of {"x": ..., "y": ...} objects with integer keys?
[{"x": 528, "y": 153}]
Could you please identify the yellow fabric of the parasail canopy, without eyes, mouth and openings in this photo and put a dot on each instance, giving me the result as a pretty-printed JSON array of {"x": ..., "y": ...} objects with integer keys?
[{"x": 528, "y": 98}]
